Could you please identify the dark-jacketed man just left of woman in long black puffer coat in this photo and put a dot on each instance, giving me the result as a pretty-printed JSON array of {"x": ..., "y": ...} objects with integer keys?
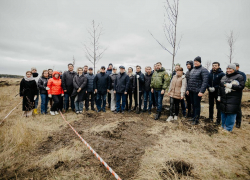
[{"x": 215, "y": 76}]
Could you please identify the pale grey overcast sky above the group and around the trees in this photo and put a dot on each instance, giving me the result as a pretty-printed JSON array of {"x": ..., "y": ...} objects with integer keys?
[{"x": 49, "y": 33}]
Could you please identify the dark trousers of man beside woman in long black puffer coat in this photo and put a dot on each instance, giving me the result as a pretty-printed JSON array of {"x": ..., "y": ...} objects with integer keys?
[{"x": 213, "y": 96}]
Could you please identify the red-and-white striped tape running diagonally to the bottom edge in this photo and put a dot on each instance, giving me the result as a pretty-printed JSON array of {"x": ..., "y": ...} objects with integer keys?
[{"x": 93, "y": 151}]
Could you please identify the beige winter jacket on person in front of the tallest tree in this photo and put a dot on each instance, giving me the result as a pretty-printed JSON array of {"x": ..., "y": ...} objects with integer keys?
[{"x": 178, "y": 87}]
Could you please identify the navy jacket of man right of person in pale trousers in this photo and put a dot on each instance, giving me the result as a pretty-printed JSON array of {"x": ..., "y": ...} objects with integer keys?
[{"x": 121, "y": 84}]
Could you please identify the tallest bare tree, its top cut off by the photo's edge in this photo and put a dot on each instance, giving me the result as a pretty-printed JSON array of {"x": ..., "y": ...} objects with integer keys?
[{"x": 170, "y": 28}]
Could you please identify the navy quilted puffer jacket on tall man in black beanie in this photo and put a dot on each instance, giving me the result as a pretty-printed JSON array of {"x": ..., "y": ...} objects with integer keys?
[{"x": 198, "y": 79}]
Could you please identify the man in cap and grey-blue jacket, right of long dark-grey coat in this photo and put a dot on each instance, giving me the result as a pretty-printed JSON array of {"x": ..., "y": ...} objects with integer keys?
[{"x": 90, "y": 90}]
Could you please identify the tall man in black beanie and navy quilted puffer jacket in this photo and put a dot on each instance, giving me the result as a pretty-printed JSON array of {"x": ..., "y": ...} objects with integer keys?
[{"x": 196, "y": 88}]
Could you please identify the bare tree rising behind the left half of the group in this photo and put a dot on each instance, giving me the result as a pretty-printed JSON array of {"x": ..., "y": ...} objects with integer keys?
[{"x": 93, "y": 50}]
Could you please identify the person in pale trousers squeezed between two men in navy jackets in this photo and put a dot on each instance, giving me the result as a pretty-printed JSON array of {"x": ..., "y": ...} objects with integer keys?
[{"x": 111, "y": 92}]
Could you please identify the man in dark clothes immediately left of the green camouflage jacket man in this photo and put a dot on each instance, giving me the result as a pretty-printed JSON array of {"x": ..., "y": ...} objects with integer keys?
[{"x": 147, "y": 90}]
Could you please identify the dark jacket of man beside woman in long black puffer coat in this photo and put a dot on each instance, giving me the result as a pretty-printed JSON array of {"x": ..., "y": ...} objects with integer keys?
[{"x": 214, "y": 78}]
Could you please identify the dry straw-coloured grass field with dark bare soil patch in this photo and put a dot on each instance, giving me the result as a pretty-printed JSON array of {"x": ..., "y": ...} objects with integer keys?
[{"x": 135, "y": 146}]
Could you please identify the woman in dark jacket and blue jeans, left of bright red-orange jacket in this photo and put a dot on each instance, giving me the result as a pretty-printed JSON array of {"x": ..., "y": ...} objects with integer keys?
[{"x": 42, "y": 85}]
